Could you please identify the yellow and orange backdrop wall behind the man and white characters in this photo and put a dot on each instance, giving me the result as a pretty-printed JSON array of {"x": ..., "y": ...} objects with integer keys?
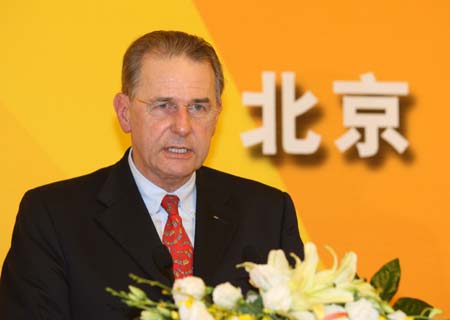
[{"x": 60, "y": 67}]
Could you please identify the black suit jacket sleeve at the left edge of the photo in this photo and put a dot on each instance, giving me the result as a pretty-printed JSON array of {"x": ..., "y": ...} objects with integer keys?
[{"x": 33, "y": 283}]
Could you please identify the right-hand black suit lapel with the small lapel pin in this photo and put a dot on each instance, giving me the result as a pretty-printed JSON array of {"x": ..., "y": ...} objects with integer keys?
[{"x": 214, "y": 226}]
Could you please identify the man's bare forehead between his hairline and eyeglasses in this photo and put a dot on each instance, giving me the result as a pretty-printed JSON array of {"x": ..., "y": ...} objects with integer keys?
[{"x": 177, "y": 76}]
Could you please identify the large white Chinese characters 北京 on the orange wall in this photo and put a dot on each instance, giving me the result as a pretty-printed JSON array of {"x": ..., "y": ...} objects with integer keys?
[{"x": 368, "y": 105}]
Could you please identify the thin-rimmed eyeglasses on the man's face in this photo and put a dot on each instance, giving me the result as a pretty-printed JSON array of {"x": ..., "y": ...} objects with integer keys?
[{"x": 167, "y": 107}]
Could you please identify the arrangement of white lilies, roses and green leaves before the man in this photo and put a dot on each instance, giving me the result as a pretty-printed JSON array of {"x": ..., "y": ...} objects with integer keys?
[{"x": 301, "y": 292}]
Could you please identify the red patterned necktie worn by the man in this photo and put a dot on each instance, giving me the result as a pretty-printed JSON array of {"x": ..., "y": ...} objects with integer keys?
[{"x": 176, "y": 240}]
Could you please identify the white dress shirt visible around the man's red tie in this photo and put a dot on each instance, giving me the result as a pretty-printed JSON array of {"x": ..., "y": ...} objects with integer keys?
[{"x": 153, "y": 195}]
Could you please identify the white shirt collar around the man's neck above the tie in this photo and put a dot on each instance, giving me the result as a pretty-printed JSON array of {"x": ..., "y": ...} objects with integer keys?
[{"x": 153, "y": 195}]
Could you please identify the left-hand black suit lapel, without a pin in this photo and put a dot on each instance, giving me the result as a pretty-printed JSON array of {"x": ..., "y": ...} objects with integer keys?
[{"x": 127, "y": 220}]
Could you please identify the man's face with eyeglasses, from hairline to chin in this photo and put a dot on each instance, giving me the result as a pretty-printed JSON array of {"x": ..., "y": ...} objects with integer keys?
[{"x": 168, "y": 149}]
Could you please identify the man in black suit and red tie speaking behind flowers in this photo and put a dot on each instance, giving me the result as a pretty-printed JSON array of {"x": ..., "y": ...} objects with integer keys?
[{"x": 74, "y": 238}]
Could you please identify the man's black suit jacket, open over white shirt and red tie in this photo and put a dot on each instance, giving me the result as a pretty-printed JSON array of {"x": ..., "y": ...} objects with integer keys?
[{"x": 74, "y": 238}]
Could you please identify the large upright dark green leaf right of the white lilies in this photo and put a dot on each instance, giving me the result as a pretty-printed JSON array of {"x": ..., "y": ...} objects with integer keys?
[{"x": 387, "y": 279}]
